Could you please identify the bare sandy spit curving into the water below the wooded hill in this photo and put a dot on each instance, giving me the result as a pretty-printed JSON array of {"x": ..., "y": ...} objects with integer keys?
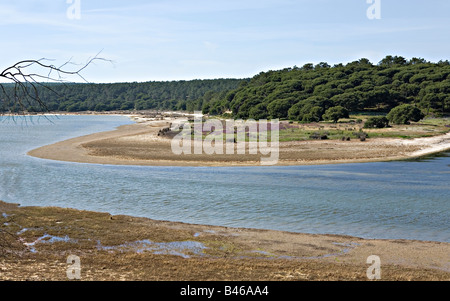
[{"x": 139, "y": 144}]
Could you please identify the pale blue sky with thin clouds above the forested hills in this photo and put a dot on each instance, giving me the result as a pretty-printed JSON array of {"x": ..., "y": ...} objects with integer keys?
[{"x": 206, "y": 39}]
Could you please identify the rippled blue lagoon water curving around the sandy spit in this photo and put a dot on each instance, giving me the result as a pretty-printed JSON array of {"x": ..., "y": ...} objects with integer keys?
[{"x": 386, "y": 200}]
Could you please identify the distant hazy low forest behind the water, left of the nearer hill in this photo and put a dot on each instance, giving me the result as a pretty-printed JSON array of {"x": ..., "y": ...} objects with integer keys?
[{"x": 176, "y": 95}]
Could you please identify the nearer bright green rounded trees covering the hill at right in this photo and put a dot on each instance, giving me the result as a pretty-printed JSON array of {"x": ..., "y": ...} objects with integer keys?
[{"x": 306, "y": 93}]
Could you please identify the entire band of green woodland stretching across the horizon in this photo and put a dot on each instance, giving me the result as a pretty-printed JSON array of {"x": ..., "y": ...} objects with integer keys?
[{"x": 299, "y": 93}]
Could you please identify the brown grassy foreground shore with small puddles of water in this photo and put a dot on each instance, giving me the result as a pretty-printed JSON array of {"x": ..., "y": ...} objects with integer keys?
[{"x": 119, "y": 247}]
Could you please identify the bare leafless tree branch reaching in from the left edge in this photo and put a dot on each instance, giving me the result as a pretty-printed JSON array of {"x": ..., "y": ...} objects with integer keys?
[{"x": 24, "y": 91}]
